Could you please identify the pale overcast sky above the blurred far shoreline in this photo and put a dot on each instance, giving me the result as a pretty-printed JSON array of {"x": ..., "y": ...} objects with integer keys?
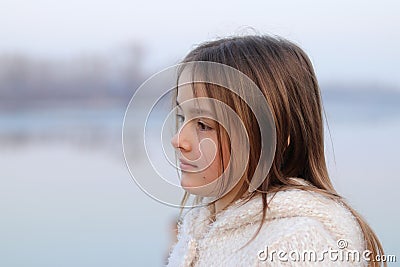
[{"x": 347, "y": 40}]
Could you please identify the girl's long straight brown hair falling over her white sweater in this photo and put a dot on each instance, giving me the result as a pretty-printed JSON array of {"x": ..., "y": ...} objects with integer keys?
[{"x": 286, "y": 77}]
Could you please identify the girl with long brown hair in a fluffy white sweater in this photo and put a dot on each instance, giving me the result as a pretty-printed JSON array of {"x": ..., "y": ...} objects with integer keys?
[{"x": 289, "y": 215}]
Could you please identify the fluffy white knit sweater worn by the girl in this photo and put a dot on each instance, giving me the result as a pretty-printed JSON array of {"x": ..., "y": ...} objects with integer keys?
[{"x": 297, "y": 221}]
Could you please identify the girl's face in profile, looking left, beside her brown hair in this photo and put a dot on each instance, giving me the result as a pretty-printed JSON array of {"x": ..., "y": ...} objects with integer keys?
[{"x": 196, "y": 142}]
